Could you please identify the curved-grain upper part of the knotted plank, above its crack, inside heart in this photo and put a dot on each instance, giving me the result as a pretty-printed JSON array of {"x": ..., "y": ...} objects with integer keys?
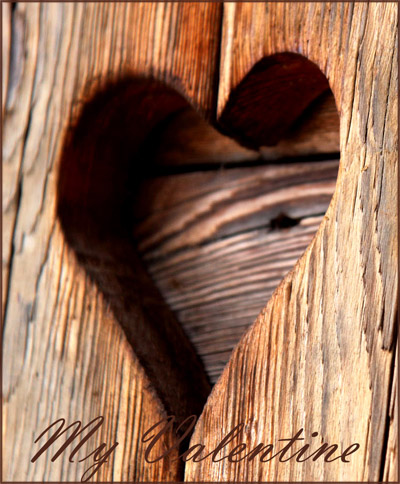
[{"x": 184, "y": 210}]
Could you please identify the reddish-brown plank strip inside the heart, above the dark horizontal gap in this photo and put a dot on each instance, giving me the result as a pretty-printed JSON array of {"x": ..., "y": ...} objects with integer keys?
[{"x": 189, "y": 140}]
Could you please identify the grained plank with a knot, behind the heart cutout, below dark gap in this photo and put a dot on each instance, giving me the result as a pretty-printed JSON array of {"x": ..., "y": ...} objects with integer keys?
[{"x": 216, "y": 245}]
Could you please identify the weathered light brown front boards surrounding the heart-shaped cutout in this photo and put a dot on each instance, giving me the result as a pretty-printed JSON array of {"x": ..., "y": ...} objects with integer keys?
[{"x": 329, "y": 317}]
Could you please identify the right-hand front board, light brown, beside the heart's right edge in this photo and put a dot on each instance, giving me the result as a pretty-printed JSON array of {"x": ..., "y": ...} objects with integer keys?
[{"x": 320, "y": 355}]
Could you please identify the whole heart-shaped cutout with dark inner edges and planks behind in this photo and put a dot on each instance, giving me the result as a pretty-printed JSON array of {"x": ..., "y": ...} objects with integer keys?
[{"x": 186, "y": 232}]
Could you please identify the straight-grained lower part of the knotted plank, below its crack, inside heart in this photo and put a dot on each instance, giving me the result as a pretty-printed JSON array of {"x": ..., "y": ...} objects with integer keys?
[{"x": 216, "y": 306}]
